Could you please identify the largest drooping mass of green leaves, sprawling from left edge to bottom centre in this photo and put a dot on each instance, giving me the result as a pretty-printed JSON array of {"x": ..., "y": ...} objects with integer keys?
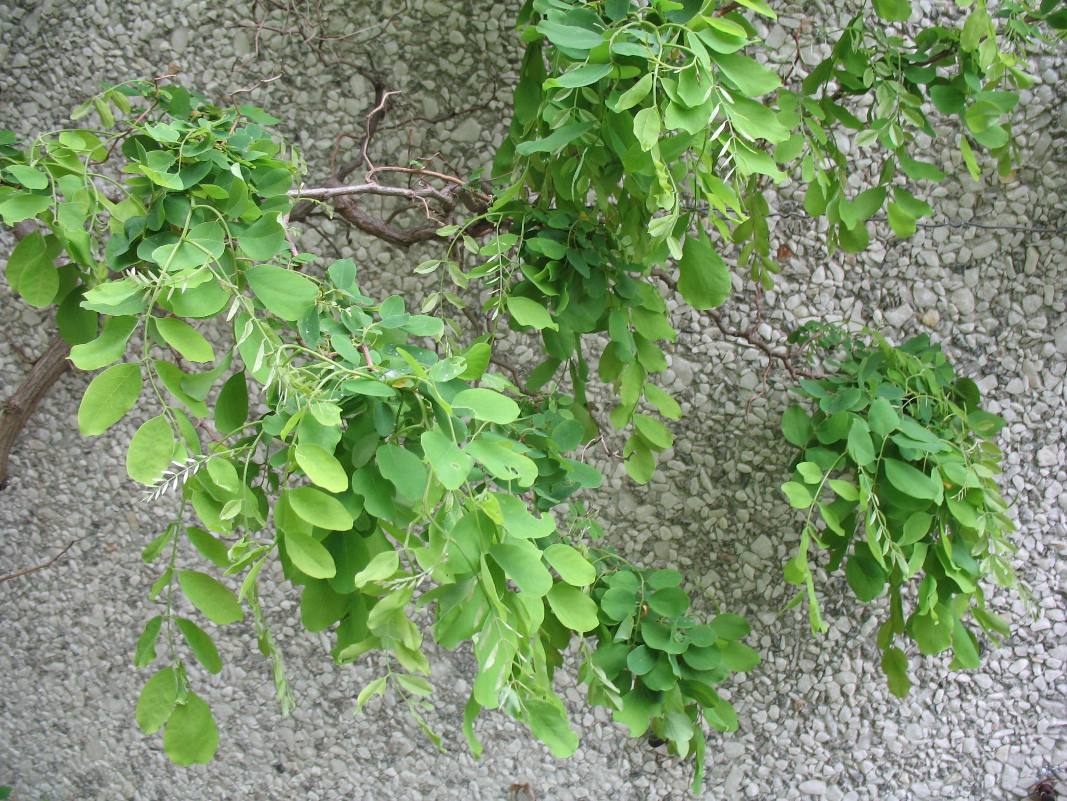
[{"x": 385, "y": 476}]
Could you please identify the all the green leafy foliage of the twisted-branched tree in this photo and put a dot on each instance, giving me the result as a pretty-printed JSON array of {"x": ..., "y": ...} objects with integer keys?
[{"x": 371, "y": 451}]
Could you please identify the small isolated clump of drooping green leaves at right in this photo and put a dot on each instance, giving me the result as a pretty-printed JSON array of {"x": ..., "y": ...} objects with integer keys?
[{"x": 898, "y": 473}]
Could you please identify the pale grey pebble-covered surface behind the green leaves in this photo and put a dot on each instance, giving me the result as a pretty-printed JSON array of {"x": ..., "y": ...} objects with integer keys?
[{"x": 817, "y": 720}]
